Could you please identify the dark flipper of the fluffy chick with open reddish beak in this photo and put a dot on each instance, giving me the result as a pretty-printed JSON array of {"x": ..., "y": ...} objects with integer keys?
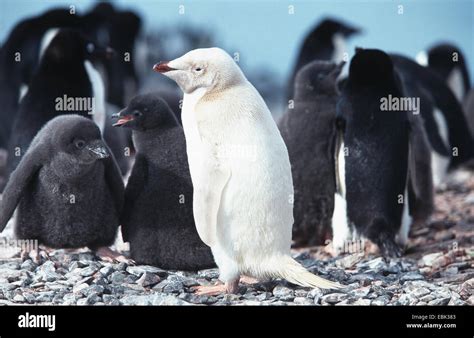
[{"x": 134, "y": 187}]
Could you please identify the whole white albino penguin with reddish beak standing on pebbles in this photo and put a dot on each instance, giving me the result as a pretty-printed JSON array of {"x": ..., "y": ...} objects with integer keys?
[{"x": 240, "y": 170}]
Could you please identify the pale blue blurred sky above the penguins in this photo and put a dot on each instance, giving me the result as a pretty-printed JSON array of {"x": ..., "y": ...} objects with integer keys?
[{"x": 266, "y": 35}]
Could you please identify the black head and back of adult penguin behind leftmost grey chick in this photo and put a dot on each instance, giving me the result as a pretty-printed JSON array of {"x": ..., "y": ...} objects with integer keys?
[{"x": 60, "y": 77}]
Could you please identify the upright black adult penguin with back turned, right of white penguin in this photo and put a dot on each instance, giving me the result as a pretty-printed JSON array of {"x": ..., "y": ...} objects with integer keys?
[{"x": 371, "y": 155}]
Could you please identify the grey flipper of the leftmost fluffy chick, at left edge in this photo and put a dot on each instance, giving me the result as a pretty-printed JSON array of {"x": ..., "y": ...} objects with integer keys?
[{"x": 28, "y": 167}]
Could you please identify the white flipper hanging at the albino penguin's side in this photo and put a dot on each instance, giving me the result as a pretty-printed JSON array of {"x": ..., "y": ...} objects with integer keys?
[{"x": 207, "y": 198}]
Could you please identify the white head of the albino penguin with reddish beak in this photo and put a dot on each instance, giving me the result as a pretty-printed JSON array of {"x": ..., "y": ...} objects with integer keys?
[{"x": 208, "y": 68}]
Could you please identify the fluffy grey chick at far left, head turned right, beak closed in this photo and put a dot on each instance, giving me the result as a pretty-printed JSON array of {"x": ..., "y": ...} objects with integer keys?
[{"x": 67, "y": 187}]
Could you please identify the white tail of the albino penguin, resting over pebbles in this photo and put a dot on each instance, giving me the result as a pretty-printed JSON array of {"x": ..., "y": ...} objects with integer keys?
[{"x": 295, "y": 273}]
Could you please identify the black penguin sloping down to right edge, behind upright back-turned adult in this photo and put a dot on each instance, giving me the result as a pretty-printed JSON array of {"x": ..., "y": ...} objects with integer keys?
[{"x": 446, "y": 125}]
